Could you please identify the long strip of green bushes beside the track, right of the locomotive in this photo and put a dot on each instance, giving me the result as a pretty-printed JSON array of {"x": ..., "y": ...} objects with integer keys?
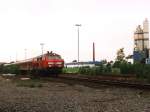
[{"x": 140, "y": 70}]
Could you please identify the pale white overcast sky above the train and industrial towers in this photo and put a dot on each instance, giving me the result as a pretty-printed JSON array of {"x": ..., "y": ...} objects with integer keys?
[{"x": 24, "y": 24}]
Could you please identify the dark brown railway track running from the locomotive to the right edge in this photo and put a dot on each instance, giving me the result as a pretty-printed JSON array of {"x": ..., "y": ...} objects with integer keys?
[{"x": 105, "y": 81}]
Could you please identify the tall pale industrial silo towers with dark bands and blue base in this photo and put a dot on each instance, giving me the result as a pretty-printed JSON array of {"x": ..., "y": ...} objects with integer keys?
[{"x": 141, "y": 51}]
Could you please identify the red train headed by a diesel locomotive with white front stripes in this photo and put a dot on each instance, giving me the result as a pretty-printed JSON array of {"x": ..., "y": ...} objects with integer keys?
[{"x": 46, "y": 63}]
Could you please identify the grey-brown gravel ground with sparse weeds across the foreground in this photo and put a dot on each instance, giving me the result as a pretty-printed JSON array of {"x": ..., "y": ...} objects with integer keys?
[{"x": 24, "y": 96}]
